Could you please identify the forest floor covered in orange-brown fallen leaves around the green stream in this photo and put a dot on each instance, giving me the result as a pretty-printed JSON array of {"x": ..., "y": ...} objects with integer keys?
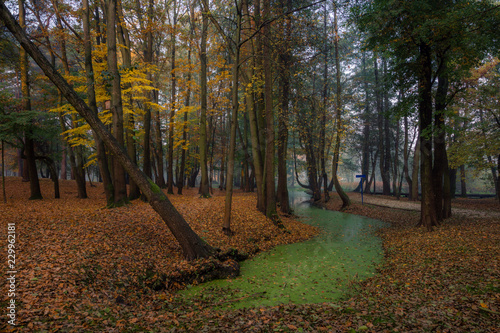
[{"x": 82, "y": 267}]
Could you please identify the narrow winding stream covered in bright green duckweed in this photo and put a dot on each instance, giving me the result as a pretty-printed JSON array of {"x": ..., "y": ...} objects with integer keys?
[{"x": 314, "y": 271}]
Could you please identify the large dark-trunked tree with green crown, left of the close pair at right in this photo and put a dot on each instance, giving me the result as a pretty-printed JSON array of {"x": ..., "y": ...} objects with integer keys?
[{"x": 419, "y": 35}]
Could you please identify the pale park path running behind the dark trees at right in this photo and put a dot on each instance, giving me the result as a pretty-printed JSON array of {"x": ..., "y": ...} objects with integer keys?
[{"x": 385, "y": 201}]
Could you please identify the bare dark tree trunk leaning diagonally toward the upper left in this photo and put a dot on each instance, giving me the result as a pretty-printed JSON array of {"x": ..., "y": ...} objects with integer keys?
[{"x": 192, "y": 245}]
